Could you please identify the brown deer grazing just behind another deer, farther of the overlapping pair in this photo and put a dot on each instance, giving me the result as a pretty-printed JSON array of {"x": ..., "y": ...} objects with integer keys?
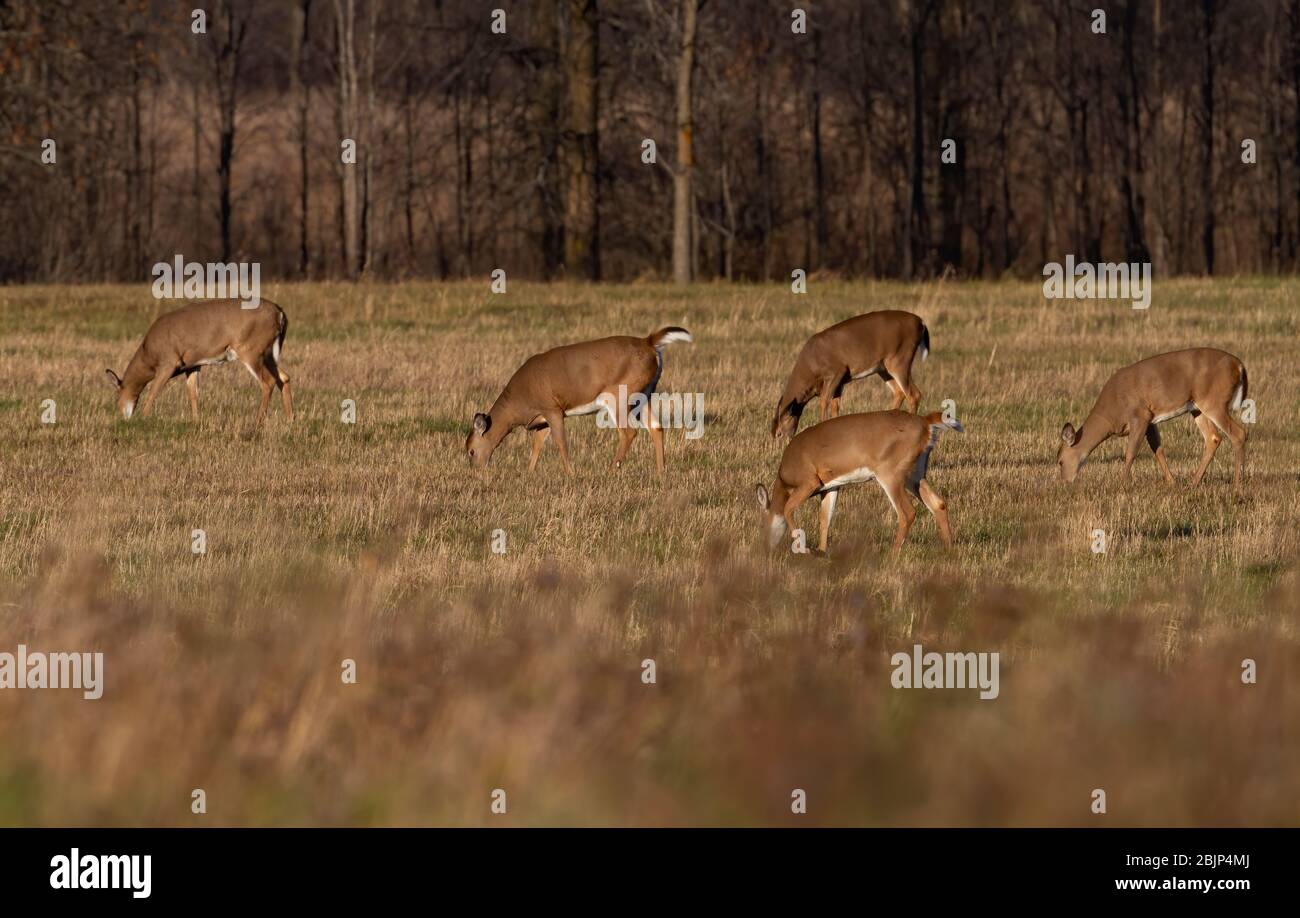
[{"x": 878, "y": 344}]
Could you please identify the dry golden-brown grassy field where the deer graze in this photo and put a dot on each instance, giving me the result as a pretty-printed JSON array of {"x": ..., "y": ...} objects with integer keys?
[{"x": 523, "y": 672}]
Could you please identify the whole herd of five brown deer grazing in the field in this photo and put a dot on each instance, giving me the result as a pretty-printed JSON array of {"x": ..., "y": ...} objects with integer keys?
[{"x": 891, "y": 448}]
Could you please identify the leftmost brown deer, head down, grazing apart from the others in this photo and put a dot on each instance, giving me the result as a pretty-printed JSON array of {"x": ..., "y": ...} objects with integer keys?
[{"x": 203, "y": 335}]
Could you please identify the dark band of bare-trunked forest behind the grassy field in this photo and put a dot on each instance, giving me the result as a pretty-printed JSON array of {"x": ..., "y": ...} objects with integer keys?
[{"x": 775, "y": 149}]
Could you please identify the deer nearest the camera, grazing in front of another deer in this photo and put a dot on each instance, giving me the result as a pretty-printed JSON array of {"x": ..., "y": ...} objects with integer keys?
[{"x": 891, "y": 448}]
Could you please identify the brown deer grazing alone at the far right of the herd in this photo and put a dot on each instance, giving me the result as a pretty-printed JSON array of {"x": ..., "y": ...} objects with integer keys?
[{"x": 1204, "y": 382}]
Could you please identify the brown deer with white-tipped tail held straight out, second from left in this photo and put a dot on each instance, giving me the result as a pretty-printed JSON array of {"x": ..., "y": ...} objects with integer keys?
[{"x": 577, "y": 380}]
